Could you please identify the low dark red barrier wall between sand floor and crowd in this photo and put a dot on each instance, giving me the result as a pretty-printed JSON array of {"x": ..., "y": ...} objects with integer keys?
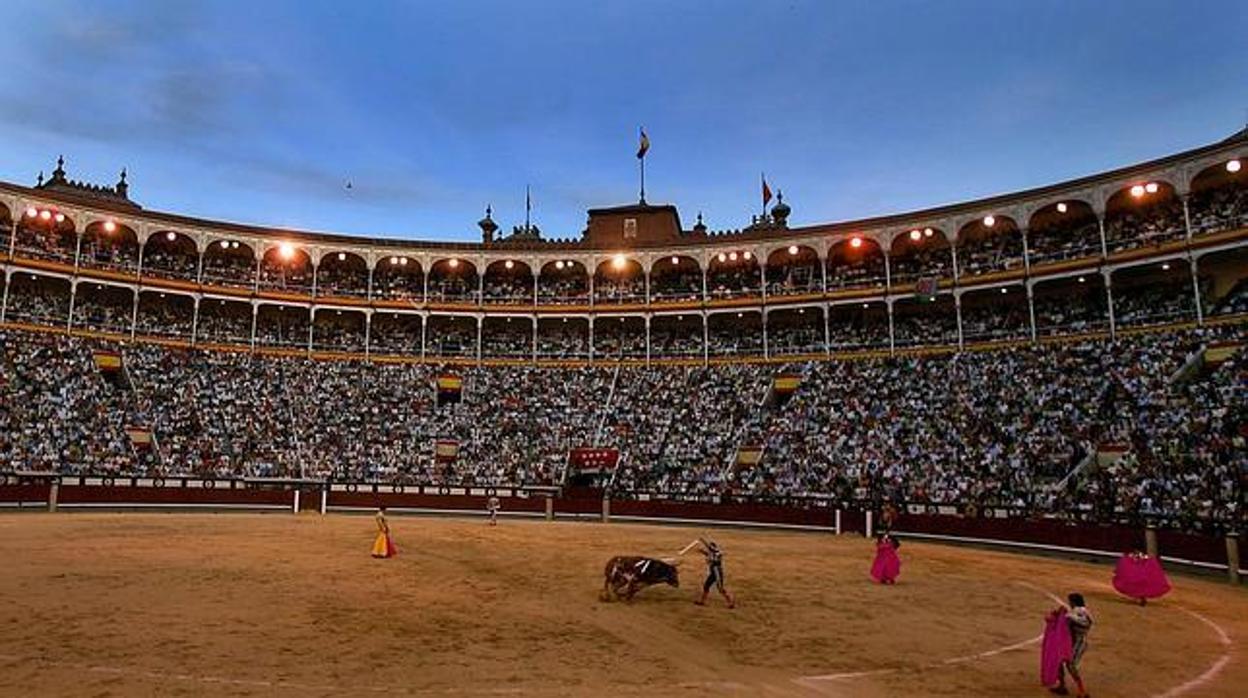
[{"x": 995, "y": 528}]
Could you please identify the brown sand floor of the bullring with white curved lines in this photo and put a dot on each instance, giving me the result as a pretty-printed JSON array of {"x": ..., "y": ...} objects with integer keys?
[{"x": 241, "y": 605}]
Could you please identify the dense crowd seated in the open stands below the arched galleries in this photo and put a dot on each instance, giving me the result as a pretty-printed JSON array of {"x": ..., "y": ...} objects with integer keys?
[{"x": 992, "y": 429}]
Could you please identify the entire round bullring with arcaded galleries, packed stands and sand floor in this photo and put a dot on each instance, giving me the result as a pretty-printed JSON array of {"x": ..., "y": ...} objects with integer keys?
[{"x": 200, "y": 419}]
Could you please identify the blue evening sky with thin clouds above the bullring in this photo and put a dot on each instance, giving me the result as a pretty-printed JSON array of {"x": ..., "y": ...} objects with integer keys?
[{"x": 260, "y": 112}]
